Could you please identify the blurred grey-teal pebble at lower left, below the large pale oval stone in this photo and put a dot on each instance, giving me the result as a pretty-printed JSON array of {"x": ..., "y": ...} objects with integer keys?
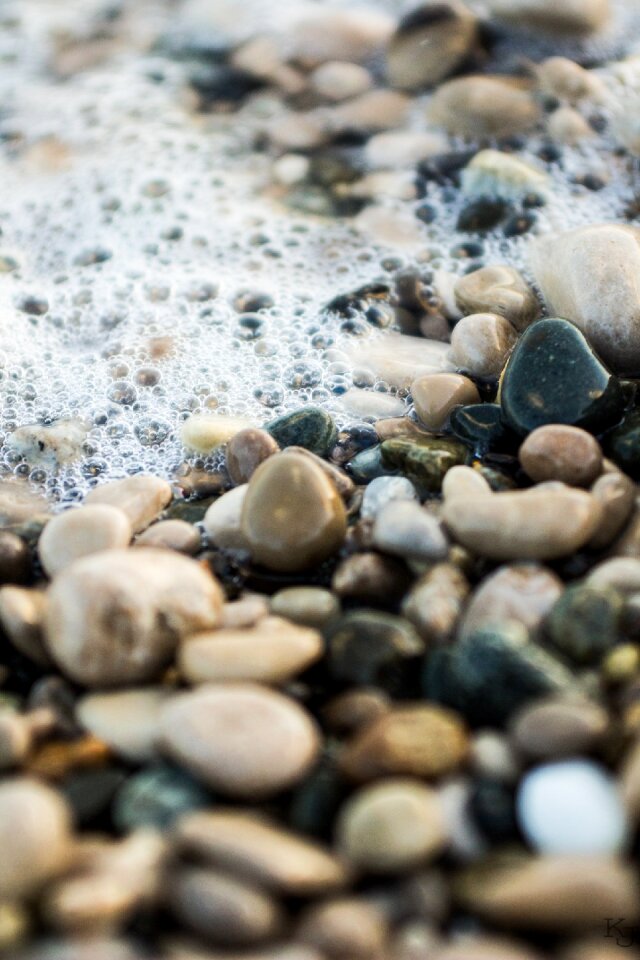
[{"x": 155, "y": 797}]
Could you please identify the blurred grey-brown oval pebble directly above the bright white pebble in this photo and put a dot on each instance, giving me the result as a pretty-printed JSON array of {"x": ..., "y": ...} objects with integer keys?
[{"x": 557, "y": 727}]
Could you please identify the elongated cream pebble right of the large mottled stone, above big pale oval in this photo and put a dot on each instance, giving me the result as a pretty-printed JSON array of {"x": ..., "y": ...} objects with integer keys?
[{"x": 274, "y": 651}]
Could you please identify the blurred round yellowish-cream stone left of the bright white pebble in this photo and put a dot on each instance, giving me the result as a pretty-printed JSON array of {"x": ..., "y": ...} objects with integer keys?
[{"x": 392, "y": 827}]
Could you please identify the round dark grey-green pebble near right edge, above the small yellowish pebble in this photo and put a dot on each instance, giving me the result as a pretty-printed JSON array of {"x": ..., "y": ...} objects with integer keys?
[{"x": 584, "y": 623}]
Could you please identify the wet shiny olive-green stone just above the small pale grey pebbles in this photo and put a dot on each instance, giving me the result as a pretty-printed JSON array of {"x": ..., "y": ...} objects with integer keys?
[{"x": 424, "y": 462}]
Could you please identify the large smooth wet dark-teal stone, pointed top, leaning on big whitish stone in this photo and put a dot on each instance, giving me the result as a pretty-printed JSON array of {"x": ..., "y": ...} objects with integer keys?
[{"x": 554, "y": 376}]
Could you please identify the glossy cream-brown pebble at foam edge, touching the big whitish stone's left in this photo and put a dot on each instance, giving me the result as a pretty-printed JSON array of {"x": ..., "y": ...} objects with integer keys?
[{"x": 498, "y": 289}]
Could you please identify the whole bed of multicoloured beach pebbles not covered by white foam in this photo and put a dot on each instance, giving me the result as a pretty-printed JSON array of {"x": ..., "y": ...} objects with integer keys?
[{"x": 360, "y": 686}]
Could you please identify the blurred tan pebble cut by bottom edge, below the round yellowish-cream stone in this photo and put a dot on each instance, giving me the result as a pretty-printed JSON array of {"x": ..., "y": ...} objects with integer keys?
[{"x": 345, "y": 929}]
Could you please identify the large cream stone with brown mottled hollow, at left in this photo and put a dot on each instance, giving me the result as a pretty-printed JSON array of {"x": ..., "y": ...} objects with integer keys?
[{"x": 116, "y": 617}]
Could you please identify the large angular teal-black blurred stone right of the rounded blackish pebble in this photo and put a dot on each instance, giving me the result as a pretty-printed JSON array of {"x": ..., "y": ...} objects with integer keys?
[{"x": 489, "y": 675}]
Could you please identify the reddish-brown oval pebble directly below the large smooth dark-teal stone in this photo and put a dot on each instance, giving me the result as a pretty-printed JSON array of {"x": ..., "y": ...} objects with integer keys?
[{"x": 559, "y": 452}]
